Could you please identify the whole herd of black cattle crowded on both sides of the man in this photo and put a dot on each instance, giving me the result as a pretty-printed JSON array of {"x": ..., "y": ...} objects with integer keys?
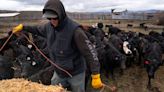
[{"x": 115, "y": 49}]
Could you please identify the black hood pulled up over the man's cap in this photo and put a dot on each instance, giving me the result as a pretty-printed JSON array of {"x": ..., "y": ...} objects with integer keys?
[{"x": 56, "y": 6}]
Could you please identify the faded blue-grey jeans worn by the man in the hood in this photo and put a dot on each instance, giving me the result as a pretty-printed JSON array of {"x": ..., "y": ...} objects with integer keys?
[{"x": 77, "y": 82}]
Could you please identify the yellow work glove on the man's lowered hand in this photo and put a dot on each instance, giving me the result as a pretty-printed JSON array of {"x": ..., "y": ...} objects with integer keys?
[{"x": 96, "y": 81}]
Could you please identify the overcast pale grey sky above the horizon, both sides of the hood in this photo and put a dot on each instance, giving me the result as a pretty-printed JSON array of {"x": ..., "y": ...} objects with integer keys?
[{"x": 85, "y": 5}]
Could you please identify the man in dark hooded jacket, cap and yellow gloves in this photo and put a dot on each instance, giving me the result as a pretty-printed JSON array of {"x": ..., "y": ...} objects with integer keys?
[{"x": 68, "y": 47}]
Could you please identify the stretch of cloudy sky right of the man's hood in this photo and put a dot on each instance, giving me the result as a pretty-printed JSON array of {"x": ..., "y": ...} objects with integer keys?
[{"x": 106, "y": 5}]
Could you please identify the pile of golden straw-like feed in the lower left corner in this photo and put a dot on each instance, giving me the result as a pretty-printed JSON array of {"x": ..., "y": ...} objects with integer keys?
[{"x": 22, "y": 85}]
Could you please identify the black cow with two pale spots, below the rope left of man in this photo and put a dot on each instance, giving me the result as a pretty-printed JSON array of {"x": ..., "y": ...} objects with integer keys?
[{"x": 31, "y": 61}]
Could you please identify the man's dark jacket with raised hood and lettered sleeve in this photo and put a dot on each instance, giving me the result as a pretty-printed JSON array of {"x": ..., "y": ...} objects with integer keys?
[{"x": 67, "y": 43}]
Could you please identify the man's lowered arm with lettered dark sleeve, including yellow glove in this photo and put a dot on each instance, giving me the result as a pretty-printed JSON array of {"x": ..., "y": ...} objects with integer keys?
[{"x": 88, "y": 51}]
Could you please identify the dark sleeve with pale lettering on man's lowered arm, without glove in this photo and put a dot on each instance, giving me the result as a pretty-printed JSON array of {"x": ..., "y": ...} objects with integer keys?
[{"x": 87, "y": 50}]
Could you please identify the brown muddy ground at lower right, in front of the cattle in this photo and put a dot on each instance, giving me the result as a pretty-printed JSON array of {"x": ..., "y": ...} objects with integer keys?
[{"x": 134, "y": 79}]
